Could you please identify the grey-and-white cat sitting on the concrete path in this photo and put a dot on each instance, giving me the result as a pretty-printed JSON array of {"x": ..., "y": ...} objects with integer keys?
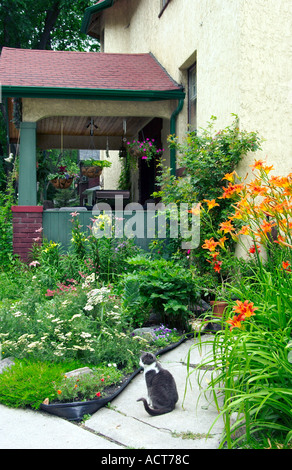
[{"x": 161, "y": 386}]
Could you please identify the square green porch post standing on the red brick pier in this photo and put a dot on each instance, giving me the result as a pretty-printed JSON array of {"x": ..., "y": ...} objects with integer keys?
[{"x": 27, "y": 183}]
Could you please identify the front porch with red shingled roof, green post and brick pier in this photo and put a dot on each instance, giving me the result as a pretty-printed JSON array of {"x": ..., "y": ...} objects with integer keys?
[{"x": 124, "y": 96}]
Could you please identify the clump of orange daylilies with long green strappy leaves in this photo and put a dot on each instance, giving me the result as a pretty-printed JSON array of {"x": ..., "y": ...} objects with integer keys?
[{"x": 252, "y": 355}]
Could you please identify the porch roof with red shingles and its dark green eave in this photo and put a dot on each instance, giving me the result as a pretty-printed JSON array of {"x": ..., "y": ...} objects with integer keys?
[{"x": 89, "y": 75}]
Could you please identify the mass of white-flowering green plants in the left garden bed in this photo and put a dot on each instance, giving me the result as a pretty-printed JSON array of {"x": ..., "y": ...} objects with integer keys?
[{"x": 73, "y": 322}]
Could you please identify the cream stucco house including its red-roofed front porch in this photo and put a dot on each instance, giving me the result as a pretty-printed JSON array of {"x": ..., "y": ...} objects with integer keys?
[{"x": 164, "y": 66}]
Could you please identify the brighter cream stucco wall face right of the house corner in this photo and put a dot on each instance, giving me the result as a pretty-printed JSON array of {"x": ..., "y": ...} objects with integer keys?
[{"x": 266, "y": 77}]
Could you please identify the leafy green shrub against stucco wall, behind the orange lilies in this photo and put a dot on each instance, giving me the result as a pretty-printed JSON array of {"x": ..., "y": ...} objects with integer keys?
[{"x": 206, "y": 157}]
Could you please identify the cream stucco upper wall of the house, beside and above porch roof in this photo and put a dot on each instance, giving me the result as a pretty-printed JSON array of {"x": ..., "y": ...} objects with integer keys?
[{"x": 243, "y": 50}]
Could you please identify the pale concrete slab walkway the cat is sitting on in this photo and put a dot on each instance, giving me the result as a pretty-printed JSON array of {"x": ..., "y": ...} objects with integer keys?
[{"x": 125, "y": 423}]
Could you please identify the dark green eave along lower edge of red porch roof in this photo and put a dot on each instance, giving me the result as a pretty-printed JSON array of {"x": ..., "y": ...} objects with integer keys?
[{"x": 91, "y": 94}]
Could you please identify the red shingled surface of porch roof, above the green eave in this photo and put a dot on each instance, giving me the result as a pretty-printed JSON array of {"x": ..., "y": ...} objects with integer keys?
[{"x": 92, "y": 70}]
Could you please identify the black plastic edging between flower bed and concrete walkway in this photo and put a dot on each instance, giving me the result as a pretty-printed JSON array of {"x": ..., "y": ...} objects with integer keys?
[{"x": 76, "y": 410}]
